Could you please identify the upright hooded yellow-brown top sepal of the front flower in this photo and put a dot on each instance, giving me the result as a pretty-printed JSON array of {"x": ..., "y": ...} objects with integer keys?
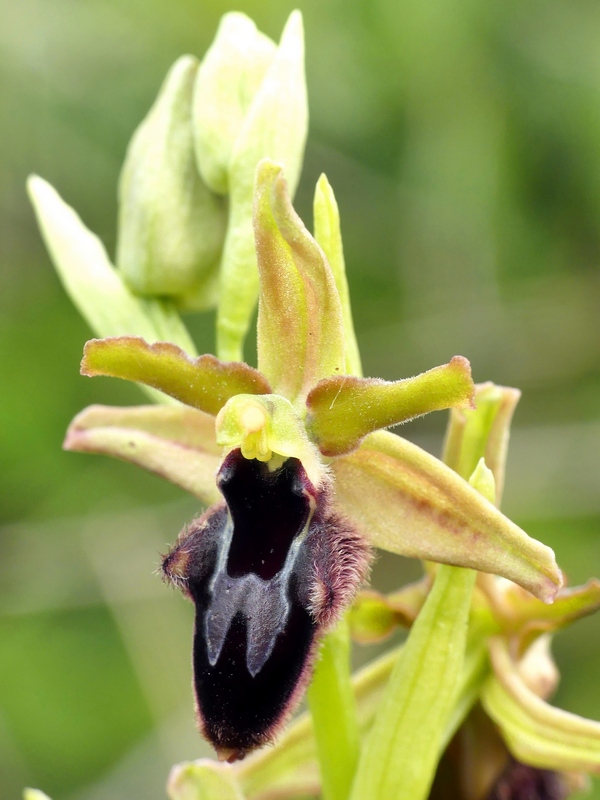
[{"x": 300, "y": 329}]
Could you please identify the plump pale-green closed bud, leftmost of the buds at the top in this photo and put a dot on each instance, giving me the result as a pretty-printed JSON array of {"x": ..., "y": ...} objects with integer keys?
[{"x": 171, "y": 227}]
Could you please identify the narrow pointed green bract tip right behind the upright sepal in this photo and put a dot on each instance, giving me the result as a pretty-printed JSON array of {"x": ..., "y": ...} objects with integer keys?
[{"x": 329, "y": 237}]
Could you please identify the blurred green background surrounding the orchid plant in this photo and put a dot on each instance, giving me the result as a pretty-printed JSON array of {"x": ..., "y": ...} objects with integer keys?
[{"x": 463, "y": 142}]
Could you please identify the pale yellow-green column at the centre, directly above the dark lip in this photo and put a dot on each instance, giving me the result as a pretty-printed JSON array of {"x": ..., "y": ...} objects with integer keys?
[{"x": 267, "y": 427}]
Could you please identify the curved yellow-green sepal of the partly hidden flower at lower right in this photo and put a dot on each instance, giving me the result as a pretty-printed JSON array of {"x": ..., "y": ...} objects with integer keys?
[{"x": 535, "y": 732}]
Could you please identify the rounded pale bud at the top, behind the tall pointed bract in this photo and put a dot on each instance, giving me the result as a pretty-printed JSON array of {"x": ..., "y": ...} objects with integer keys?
[{"x": 228, "y": 78}]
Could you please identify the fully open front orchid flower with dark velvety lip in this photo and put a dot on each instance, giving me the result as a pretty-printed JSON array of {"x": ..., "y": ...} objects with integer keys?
[{"x": 306, "y": 479}]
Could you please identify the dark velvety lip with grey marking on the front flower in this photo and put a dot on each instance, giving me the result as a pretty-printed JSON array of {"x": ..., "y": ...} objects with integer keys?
[{"x": 268, "y": 570}]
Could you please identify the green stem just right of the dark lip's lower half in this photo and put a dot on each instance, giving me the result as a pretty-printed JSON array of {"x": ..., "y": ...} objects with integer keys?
[{"x": 333, "y": 709}]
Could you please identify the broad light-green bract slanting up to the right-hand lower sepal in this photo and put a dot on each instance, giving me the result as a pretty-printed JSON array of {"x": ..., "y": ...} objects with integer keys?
[{"x": 401, "y": 751}]
